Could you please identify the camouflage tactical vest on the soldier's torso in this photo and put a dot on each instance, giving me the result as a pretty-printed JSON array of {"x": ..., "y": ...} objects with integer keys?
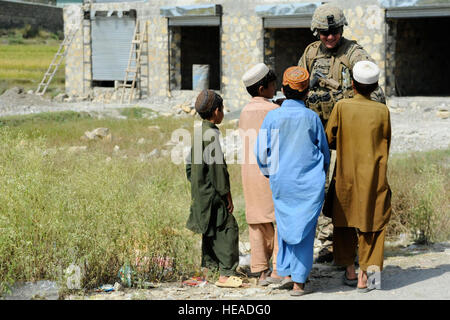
[{"x": 335, "y": 68}]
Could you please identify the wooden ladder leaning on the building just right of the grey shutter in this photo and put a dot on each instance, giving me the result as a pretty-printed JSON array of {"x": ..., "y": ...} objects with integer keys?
[{"x": 139, "y": 39}]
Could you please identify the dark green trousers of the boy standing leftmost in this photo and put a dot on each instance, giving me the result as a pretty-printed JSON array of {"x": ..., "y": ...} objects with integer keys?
[{"x": 222, "y": 250}]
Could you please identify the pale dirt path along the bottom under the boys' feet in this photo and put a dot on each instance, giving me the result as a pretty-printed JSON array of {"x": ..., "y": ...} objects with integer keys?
[{"x": 415, "y": 272}]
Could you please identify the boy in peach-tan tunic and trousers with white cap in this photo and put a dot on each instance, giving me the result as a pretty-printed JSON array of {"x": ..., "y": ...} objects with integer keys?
[{"x": 261, "y": 85}]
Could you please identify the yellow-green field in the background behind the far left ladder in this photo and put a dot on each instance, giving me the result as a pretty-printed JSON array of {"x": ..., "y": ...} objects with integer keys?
[{"x": 24, "y": 61}]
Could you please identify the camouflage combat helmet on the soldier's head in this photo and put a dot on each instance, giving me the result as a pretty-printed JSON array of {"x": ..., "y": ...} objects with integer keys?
[{"x": 327, "y": 17}]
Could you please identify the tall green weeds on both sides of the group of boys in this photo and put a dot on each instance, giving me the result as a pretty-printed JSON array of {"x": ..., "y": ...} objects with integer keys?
[{"x": 102, "y": 209}]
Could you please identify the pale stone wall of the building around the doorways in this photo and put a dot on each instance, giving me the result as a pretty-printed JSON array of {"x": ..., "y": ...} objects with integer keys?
[{"x": 242, "y": 45}]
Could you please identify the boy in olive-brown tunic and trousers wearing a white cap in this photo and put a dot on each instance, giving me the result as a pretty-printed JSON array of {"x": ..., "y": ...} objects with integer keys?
[{"x": 360, "y": 130}]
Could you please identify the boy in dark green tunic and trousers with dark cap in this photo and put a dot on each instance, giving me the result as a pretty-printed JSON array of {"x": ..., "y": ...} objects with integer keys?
[{"x": 212, "y": 205}]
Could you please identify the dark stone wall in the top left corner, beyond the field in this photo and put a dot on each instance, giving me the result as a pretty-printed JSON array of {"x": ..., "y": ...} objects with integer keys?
[{"x": 19, "y": 14}]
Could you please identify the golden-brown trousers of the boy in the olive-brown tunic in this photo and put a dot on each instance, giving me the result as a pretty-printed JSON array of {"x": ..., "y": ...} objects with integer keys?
[{"x": 370, "y": 246}]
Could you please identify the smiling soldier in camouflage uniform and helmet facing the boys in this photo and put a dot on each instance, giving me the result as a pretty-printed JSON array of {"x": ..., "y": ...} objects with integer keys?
[{"x": 330, "y": 61}]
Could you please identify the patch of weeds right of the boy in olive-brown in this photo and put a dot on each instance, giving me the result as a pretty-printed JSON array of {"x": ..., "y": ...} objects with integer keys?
[{"x": 421, "y": 200}]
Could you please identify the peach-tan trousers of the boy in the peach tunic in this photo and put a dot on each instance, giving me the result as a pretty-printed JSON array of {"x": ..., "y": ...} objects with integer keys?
[{"x": 263, "y": 246}]
